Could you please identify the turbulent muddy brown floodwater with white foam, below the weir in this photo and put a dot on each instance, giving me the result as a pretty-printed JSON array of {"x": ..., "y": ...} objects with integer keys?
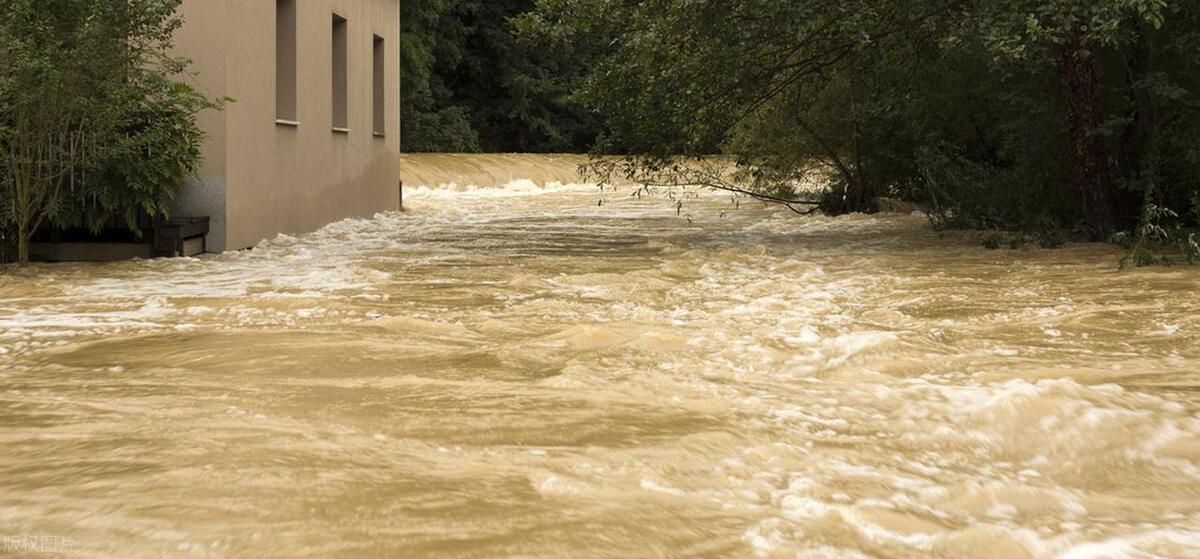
[{"x": 530, "y": 371}]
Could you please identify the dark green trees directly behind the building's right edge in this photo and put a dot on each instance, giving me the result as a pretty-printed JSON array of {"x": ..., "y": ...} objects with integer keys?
[{"x": 472, "y": 86}]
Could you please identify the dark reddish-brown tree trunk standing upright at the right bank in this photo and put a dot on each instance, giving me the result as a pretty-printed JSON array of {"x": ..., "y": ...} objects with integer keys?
[{"x": 1090, "y": 172}]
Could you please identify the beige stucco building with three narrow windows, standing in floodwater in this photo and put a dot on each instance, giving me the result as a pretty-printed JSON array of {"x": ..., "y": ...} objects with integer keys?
[{"x": 311, "y": 134}]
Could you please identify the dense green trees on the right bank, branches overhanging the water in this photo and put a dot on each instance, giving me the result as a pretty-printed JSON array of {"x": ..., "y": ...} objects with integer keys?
[{"x": 999, "y": 115}]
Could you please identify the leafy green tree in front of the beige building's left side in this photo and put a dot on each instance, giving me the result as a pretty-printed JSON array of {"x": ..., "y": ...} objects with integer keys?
[{"x": 93, "y": 127}]
